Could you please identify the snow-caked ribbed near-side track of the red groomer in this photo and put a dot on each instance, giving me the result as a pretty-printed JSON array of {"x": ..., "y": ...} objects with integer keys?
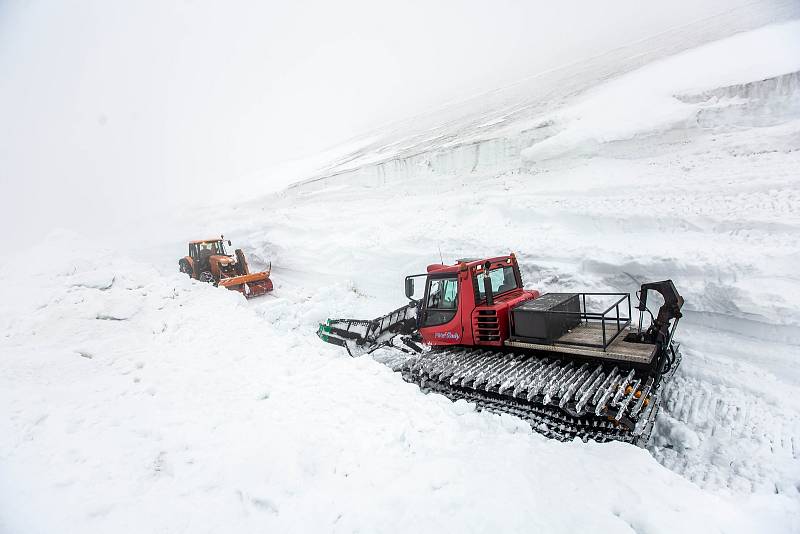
[{"x": 558, "y": 397}]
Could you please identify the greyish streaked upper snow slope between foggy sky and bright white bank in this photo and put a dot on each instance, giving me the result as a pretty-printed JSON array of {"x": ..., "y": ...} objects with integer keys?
[{"x": 457, "y": 140}]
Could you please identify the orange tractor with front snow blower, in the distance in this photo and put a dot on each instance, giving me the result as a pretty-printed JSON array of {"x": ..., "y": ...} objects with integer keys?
[{"x": 209, "y": 261}]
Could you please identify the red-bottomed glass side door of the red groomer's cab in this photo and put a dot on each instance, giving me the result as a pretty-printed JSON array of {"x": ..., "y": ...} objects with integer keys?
[{"x": 441, "y": 322}]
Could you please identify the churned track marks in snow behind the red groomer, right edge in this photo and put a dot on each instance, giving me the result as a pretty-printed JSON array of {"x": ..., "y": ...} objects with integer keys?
[{"x": 749, "y": 444}]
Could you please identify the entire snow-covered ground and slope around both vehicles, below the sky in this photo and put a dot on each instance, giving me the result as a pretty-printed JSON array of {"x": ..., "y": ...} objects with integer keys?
[{"x": 136, "y": 400}]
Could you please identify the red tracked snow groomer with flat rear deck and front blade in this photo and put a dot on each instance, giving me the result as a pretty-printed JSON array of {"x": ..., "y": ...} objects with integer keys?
[{"x": 572, "y": 364}]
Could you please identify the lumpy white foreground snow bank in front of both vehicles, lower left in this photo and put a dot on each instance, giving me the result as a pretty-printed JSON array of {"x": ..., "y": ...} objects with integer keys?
[{"x": 135, "y": 401}]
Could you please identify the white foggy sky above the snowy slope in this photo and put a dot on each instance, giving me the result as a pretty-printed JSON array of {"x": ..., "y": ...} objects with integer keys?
[{"x": 112, "y": 111}]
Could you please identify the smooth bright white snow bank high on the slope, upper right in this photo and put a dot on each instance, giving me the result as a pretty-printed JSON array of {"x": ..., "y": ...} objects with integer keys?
[{"x": 649, "y": 99}]
